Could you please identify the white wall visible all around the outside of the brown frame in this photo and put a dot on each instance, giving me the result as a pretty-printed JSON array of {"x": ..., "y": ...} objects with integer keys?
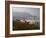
[{"x": 2, "y": 20}]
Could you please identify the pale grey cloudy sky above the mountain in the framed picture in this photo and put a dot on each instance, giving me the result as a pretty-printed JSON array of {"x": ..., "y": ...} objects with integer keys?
[{"x": 32, "y": 11}]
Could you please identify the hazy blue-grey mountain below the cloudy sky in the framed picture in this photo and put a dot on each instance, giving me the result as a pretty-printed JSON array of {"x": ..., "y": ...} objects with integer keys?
[{"x": 21, "y": 15}]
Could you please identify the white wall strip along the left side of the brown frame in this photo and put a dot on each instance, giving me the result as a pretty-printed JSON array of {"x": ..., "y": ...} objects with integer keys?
[{"x": 2, "y": 20}]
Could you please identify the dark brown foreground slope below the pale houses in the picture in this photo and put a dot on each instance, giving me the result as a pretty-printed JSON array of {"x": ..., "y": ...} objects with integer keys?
[{"x": 17, "y": 25}]
